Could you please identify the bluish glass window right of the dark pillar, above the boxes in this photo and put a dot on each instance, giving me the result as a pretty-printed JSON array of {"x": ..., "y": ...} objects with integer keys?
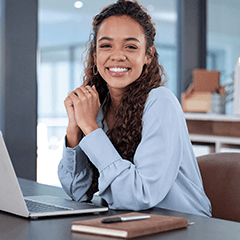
[{"x": 223, "y": 38}]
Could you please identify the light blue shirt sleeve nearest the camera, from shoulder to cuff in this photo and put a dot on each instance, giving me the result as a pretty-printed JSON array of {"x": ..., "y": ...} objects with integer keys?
[{"x": 144, "y": 183}]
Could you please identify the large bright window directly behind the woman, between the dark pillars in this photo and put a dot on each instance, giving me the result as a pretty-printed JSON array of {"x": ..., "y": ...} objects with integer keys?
[{"x": 63, "y": 32}]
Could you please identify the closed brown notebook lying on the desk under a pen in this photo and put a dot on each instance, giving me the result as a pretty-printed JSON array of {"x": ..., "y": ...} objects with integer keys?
[{"x": 130, "y": 229}]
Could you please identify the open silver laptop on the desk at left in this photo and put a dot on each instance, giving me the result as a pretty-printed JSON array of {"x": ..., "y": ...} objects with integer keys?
[{"x": 13, "y": 201}]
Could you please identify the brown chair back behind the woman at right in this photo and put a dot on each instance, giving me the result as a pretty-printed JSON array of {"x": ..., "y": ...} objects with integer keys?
[{"x": 221, "y": 180}]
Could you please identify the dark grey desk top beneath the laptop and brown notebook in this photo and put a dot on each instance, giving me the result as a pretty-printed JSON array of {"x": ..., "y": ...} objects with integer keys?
[{"x": 14, "y": 227}]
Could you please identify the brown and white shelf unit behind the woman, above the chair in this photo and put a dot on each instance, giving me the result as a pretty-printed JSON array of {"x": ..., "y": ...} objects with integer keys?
[{"x": 214, "y": 130}]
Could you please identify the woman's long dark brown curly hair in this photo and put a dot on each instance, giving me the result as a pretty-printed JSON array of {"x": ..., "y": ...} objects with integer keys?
[{"x": 126, "y": 133}]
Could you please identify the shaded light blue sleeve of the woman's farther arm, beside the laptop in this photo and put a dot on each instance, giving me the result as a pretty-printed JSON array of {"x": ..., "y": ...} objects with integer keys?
[{"x": 75, "y": 173}]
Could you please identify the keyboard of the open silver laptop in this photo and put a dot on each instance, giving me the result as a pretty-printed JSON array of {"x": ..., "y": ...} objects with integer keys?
[{"x": 36, "y": 207}]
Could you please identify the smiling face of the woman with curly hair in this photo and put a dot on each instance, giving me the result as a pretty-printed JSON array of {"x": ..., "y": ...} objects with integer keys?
[{"x": 121, "y": 51}]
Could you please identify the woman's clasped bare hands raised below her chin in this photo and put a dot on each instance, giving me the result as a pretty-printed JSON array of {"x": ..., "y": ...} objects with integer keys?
[{"x": 82, "y": 106}]
